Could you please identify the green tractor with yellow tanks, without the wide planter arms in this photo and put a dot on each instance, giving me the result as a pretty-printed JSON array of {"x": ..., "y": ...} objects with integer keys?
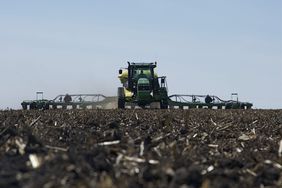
[{"x": 142, "y": 86}]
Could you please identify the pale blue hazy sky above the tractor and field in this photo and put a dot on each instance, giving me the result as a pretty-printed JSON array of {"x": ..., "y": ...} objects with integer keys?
[{"x": 203, "y": 47}]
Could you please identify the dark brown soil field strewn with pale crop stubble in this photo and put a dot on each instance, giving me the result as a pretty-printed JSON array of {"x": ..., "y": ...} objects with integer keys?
[{"x": 141, "y": 148}]
